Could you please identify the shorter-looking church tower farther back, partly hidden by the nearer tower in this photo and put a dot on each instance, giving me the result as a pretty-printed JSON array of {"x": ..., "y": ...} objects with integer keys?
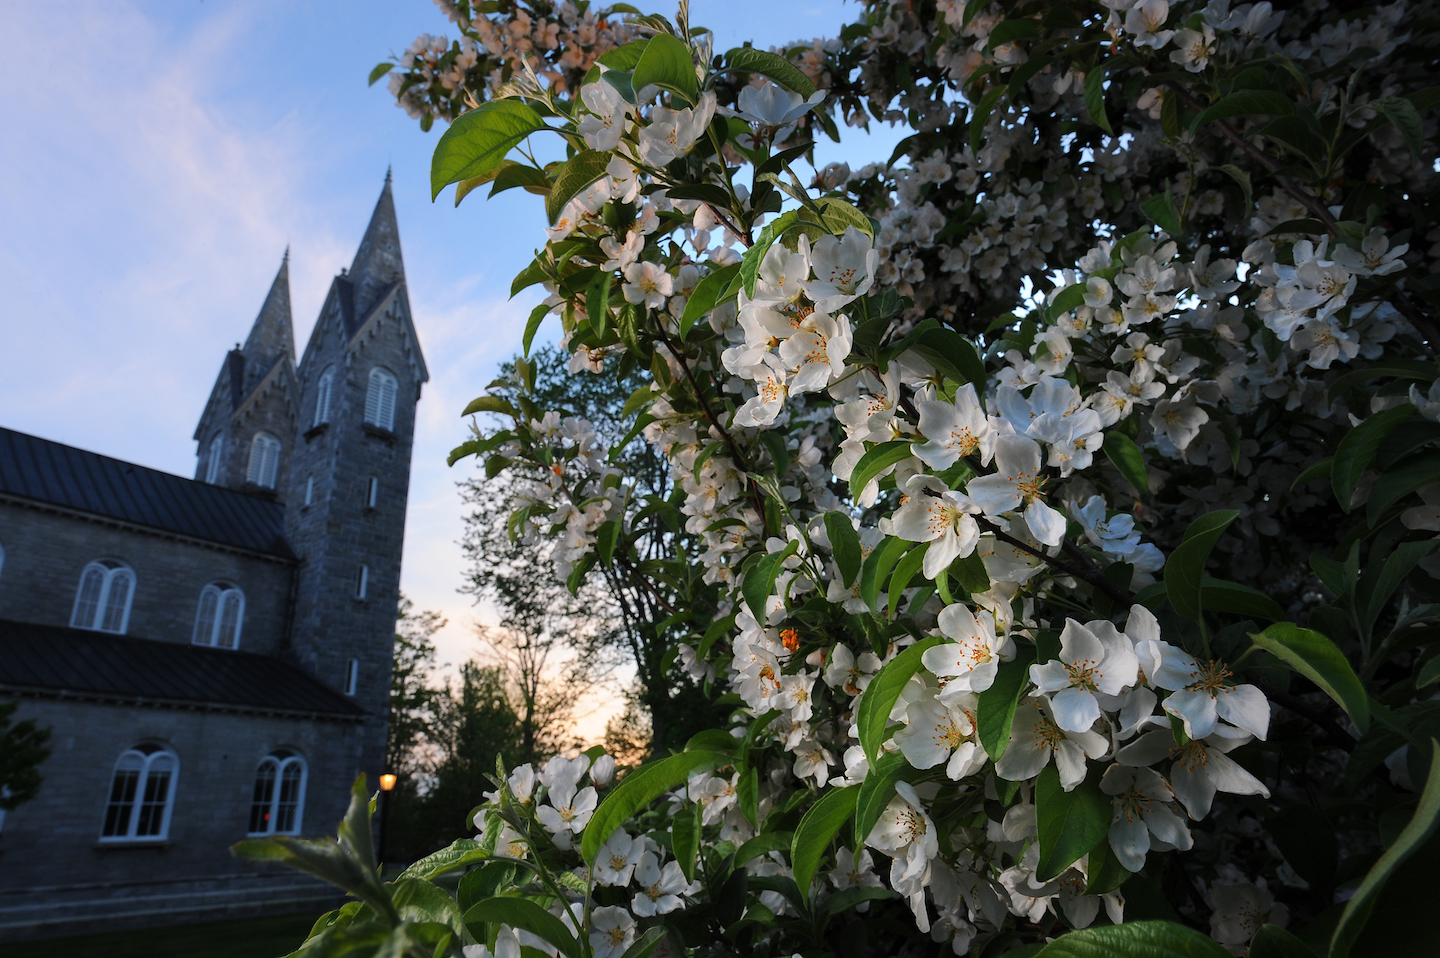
[{"x": 248, "y": 427}]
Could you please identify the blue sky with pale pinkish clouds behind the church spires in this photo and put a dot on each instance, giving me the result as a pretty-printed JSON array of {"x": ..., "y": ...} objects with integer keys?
[{"x": 158, "y": 161}]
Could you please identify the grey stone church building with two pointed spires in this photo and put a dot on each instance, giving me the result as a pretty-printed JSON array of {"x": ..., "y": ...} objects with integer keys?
[{"x": 212, "y": 655}]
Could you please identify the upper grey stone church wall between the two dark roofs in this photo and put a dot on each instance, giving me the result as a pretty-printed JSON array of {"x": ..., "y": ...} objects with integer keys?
[{"x": 45, "y": 554}]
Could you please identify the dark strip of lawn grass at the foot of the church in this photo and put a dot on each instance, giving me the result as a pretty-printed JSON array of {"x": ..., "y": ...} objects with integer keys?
[{"x": 246, "y": 939}]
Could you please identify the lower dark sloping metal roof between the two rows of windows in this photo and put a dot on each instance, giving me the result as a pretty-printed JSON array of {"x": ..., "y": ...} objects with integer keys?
[{"x": 77, "y": 663}]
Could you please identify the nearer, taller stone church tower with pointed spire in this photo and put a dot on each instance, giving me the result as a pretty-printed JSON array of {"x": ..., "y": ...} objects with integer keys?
[{"x": 349, "y": 475}]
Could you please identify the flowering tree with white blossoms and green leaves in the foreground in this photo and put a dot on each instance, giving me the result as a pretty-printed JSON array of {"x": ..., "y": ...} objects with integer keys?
[{"x": 1053, "y": 506}]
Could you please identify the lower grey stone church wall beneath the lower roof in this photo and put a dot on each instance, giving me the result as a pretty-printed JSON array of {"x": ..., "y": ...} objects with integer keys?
[{"x": 55, "y": 871}]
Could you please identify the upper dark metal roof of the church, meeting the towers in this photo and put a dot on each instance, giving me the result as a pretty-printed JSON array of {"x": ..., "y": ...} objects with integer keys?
[{"x": 90, "y": 483}]
